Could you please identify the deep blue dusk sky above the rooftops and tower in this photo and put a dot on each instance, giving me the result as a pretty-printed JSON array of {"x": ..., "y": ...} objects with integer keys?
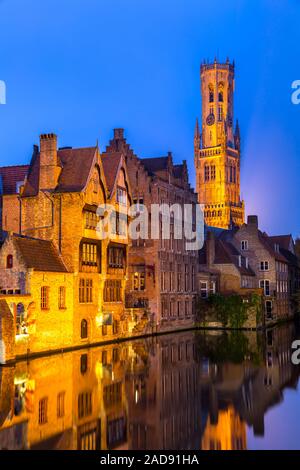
[{"x": 82, "y": 67}]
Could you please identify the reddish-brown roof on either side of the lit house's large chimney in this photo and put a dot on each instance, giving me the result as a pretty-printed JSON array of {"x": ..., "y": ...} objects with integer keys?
[{"x": 76, "y": 166}]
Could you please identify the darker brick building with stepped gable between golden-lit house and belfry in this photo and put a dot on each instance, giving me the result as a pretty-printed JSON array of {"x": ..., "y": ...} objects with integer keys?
[{"x": 162, "y": 272}]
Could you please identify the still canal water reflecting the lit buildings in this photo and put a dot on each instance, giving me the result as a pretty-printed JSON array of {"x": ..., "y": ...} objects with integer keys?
[{"x": 191, "y": 390}]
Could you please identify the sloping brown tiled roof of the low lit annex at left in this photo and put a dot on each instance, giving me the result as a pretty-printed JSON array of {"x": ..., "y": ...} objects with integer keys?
[{"x": 40, "y": 255}]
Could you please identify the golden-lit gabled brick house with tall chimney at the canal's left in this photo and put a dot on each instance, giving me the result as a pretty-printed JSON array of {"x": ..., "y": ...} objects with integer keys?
[{"x": 54, "y": 213}]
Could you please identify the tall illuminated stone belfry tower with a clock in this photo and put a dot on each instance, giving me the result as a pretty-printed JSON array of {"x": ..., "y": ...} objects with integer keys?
[{"x": 217, "y": 149}]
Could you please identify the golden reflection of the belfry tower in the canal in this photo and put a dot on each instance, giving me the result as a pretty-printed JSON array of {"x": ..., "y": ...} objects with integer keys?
[{"x": 228, "y": 434}]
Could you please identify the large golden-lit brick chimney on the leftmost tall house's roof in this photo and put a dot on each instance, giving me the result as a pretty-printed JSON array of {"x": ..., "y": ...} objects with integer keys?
[{"x": 49, "y": 165}]
